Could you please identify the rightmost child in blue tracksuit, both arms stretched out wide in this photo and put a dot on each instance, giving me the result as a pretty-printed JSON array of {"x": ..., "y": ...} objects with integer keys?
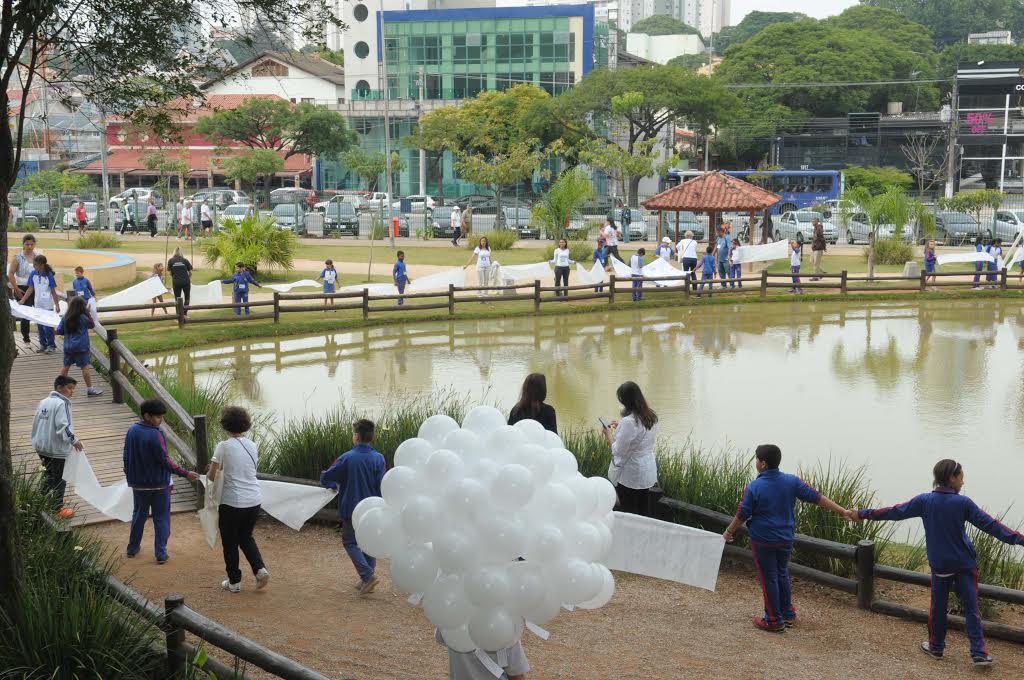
[{"x": 951, "y": 555}]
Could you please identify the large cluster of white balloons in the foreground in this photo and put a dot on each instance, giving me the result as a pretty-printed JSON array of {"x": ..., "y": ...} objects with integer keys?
[{"x": 463, "y": 505}]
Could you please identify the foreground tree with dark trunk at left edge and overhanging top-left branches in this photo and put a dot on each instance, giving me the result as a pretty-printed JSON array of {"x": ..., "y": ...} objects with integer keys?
[{"x": 129, "y": 73}]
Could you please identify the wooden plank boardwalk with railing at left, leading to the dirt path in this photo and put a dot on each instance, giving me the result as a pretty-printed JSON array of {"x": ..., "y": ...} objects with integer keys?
[{"x": 100, "y": 423}]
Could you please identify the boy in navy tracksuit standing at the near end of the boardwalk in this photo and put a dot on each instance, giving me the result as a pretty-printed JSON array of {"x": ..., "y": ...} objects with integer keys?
[{"x": 148, "y": 470}]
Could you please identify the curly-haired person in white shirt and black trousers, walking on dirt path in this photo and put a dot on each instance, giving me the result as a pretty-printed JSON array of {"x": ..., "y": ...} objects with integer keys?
[{"x": 237, "y": 459}]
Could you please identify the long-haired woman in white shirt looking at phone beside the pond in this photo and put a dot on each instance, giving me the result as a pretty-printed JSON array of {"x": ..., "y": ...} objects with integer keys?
[{"x": 632, "y": 442}]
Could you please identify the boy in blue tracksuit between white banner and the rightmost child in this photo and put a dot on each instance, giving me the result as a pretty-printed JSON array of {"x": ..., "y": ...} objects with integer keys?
[{"x": 769, "y": 507}]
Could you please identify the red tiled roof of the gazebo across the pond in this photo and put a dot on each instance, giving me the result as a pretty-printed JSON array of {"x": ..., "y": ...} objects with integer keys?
[{"x": 713, "y": 191}]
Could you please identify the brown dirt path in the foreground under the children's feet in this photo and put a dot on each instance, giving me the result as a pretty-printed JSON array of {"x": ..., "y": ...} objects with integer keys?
[{"x": 651, "y": 630}]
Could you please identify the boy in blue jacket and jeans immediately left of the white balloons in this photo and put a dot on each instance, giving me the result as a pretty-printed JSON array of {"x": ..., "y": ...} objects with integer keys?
[{"x": 358, "y": 476}]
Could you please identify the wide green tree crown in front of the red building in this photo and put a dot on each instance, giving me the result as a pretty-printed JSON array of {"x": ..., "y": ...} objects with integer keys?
[{"x": 281, "y": 126}]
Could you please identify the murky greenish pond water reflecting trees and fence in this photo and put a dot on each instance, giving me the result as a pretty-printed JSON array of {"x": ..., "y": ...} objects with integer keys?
[{"x": 894, "y": 387}]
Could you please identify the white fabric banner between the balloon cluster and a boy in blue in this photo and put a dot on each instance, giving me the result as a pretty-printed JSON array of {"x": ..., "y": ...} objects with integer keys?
[{"x": 665, "y": 550}]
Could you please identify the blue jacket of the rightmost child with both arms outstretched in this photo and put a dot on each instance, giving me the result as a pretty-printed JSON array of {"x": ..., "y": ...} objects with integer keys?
[{"x": 944, "y": 513}]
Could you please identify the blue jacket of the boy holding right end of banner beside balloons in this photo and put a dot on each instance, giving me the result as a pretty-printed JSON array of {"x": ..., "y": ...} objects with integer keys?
[{"x": 770, "y": 506}]
